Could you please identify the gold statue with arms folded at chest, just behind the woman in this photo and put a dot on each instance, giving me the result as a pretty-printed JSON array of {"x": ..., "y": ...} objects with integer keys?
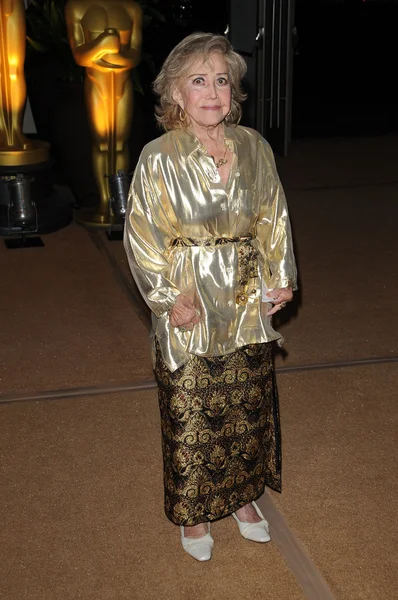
[{"x": 105, "y": 37}]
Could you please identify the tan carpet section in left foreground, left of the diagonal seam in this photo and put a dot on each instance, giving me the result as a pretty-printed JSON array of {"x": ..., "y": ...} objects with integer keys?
[{"x": 81, "y": 507}]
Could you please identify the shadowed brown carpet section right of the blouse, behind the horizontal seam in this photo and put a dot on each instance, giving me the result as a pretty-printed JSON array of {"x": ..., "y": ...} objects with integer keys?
[{"x": 346, "y": 248}]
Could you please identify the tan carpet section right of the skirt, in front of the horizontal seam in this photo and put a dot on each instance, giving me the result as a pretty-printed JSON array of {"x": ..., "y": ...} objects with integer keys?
[{"x": 340, "y": 475}]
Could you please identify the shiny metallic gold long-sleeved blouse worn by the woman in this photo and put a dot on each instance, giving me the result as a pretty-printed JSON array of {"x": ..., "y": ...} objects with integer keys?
[{"x": 186, "y": 233}]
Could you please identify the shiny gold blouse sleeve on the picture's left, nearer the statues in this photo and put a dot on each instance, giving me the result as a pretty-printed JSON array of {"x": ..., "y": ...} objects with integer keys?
[{"x": 145, "y": 242}]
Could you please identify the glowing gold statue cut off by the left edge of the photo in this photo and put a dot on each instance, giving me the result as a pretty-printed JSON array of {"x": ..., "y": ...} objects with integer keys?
[{"x": 15, "y": 148}]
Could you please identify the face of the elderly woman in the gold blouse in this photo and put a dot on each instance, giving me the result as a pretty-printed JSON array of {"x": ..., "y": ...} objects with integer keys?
[{"x": 205, "y": 91}]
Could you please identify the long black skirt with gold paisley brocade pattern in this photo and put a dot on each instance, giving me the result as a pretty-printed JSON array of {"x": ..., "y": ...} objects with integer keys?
[{"x": 220, "y": 433}]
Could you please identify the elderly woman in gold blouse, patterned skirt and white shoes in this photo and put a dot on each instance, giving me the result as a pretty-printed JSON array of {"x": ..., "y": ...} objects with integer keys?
[{"x": 209, "y": 244}]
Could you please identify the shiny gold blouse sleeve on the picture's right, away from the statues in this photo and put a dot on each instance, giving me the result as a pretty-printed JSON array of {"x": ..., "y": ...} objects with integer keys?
[{"x": 274, "y": 231}]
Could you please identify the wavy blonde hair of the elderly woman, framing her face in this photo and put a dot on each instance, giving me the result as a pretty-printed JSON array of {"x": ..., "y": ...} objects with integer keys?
[{"x": 194, "y": 46}]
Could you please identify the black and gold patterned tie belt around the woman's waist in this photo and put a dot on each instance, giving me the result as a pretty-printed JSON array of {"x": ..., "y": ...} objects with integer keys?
[{"x": 247, "y": 260}]
